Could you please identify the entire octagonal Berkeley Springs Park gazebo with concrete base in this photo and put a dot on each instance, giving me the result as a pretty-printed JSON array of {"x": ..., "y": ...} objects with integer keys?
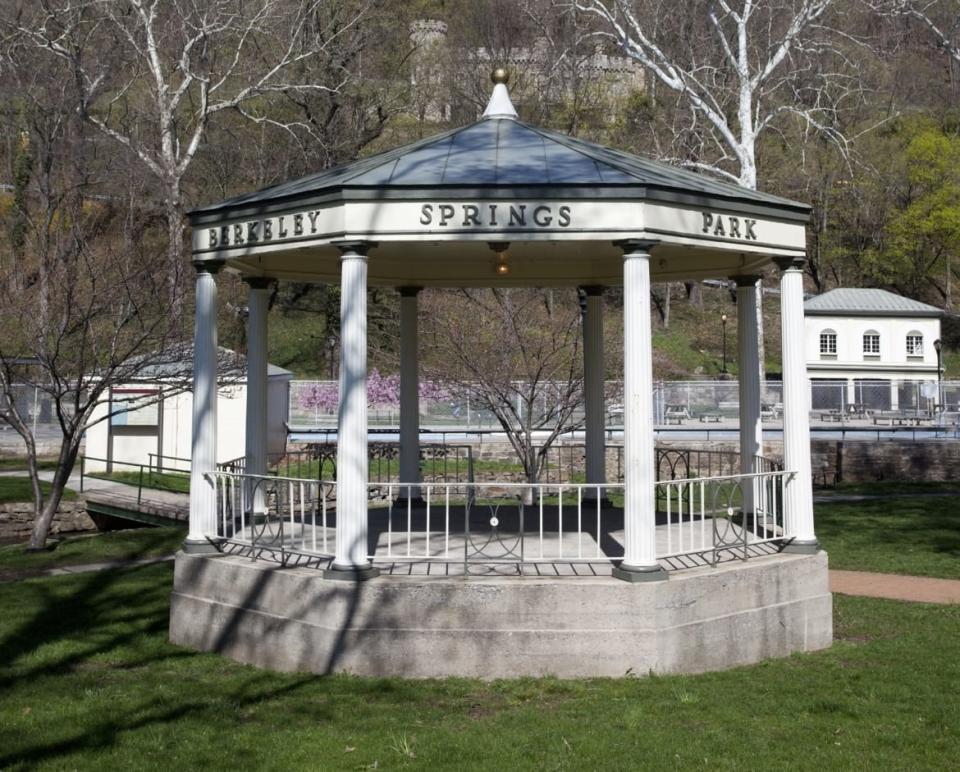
[{"x": 424, "y": 579}]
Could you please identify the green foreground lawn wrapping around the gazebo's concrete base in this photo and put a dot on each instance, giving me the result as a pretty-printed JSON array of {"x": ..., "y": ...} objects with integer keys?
[{"x": 88, "y": 681}]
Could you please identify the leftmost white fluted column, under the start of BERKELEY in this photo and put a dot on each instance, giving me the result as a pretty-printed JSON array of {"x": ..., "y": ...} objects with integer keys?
[{"x": 203, "y": 500}]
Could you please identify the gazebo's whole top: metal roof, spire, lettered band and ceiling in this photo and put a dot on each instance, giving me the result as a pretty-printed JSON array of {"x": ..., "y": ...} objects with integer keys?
[{"x": 431, "y": 212}]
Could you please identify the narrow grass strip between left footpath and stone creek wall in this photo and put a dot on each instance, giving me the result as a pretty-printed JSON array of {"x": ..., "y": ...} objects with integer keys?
[{"x": 93, "y": 548}]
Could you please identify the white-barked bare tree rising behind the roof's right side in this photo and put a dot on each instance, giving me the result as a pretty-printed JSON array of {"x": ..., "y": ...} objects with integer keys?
[{"x": 741, "y": 71}]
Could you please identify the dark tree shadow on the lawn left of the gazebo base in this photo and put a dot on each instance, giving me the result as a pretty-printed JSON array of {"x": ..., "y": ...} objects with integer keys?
[{"x": 106, "y": 621}]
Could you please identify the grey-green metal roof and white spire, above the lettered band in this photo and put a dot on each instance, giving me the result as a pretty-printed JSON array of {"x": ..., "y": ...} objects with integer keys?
[{"x": 502, "y": 154}]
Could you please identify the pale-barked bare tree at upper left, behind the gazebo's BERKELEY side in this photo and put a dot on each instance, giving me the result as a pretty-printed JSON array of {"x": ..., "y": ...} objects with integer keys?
[{"x": 153, "y": 76}]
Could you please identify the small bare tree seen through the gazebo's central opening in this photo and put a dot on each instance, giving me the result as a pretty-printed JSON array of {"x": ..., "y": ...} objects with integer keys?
[{"x": 515, "y": 353}]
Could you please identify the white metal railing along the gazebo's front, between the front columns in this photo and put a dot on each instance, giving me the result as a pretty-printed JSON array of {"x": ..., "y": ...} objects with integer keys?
[{"x": 500, "y": 523}]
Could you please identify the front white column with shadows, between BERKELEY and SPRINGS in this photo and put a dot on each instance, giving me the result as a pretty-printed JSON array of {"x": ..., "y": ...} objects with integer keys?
[{"x": 350, "y": 561}]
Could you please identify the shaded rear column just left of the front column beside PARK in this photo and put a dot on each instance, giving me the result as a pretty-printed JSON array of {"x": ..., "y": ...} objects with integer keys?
[{"x": 593, "y": 398}]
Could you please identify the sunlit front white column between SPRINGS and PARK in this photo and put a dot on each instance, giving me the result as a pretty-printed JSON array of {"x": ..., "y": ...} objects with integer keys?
[{"x": 639, "y": 511}]
